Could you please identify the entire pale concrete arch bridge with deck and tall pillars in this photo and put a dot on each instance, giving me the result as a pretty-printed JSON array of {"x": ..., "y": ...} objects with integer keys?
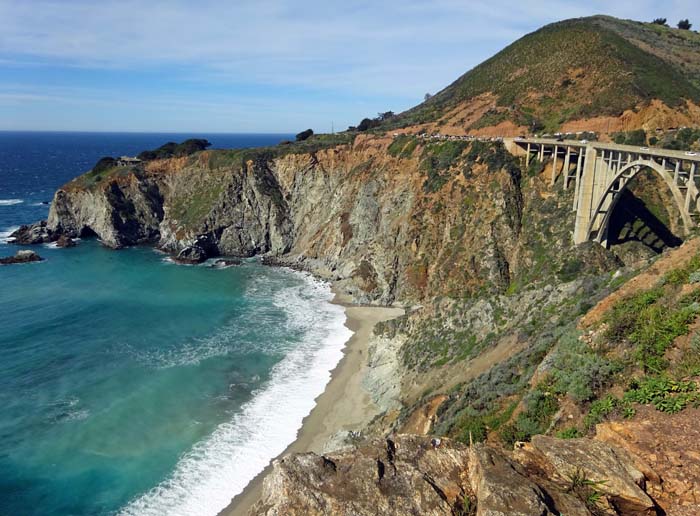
[{"x": 599, "y": 172}]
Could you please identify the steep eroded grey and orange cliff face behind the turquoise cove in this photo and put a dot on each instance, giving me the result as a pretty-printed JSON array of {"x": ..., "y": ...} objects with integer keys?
[{"x": 388, "y": 226}]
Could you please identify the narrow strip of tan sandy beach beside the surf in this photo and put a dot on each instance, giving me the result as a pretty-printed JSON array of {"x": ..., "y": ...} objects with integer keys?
[{"x": 344, "y": 403}]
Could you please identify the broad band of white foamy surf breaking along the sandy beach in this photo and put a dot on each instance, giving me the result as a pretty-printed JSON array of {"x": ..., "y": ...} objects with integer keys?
[{"x": 219, "y": 467}]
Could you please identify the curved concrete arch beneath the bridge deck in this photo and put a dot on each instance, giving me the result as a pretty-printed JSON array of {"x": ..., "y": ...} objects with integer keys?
[{"x": 600, "y": 221}]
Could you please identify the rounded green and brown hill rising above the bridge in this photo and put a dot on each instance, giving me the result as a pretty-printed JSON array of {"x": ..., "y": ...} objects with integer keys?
[{"x": 574, "y": 69}]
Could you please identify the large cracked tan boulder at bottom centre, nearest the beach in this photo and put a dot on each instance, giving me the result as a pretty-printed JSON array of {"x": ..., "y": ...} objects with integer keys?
[{"x": 404, "y": 475}]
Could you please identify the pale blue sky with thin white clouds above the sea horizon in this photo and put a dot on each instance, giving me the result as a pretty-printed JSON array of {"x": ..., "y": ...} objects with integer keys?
[{"x": 255, "y": 66}]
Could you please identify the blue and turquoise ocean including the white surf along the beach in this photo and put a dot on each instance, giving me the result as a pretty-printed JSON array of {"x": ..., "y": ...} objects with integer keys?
[{"x": 132, "y": 385}]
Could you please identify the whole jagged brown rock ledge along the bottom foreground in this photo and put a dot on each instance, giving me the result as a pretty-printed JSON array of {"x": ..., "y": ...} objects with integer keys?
[{"x": 419, "y": 475}]
